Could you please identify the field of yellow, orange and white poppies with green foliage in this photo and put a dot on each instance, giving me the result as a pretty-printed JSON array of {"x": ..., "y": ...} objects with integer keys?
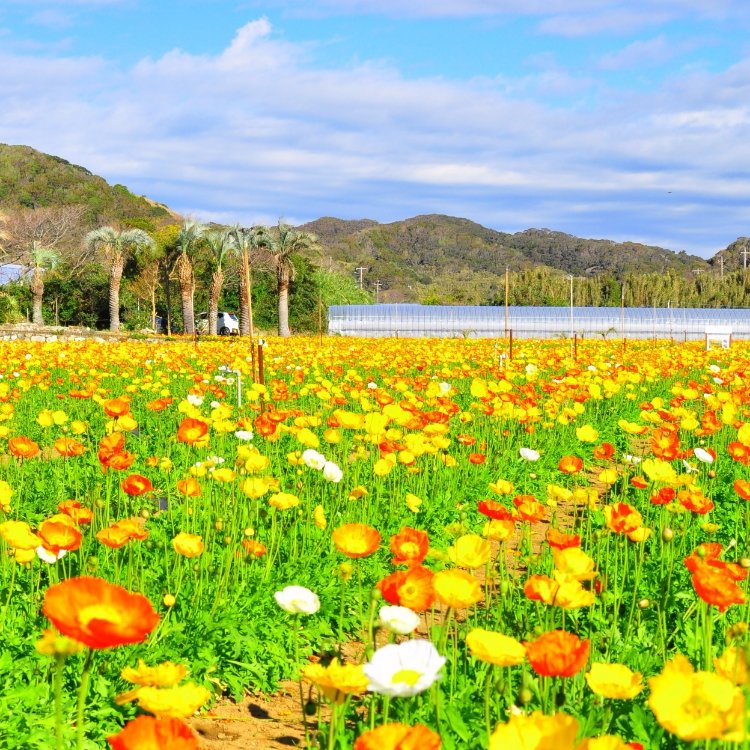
[{"x": 444, "y": 548}]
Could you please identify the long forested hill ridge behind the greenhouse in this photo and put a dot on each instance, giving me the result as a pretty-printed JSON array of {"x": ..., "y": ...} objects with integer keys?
[{"x": 451, "y": 259}]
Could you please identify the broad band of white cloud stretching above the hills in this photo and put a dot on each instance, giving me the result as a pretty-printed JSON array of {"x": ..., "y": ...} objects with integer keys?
[{"x": 259, "y": 131}]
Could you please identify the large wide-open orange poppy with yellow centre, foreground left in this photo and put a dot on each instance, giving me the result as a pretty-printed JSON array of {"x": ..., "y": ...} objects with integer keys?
[{"x": 99, "y": 614}]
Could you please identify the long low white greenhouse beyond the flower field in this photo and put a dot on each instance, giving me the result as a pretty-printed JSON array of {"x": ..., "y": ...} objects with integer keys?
[{"x": 443, "y": 321}]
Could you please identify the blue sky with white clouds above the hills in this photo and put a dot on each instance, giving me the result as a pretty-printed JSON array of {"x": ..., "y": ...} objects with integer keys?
[{"x": 616, "y": 119}]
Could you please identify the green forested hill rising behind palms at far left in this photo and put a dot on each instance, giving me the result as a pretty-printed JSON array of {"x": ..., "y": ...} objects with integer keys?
[{"x": 31, "y": 179}]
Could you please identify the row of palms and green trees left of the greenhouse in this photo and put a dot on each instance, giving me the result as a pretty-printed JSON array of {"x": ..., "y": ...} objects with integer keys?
[{"x": 134, "y": 272}]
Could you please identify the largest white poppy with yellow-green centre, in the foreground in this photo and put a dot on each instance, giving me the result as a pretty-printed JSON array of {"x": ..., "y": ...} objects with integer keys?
[{"x": 404, "y": 669}]
